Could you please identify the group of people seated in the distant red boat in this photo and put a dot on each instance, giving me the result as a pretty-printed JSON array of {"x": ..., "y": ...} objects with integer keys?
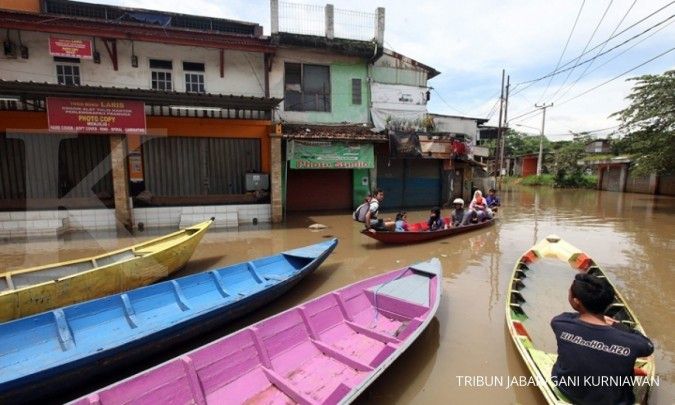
[{"x": 480, "y": 209}]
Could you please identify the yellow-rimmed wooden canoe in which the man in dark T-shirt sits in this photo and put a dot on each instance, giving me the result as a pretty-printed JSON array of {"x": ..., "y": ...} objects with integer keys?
[{"x": 538, "y": 360}]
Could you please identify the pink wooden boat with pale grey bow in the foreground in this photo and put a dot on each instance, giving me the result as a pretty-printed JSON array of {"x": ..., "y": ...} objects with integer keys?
[{"x": 325, "y": 351}]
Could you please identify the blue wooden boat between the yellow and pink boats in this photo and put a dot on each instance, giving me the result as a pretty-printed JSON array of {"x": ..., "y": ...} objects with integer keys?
[{"x": 53, "y": 351}]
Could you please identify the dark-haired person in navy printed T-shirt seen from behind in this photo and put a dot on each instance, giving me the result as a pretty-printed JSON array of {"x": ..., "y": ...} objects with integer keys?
[{"x": 592, "y": 345}]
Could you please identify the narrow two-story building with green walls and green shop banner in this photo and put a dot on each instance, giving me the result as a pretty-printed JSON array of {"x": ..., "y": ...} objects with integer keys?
[{"x": 324, "y": 148}]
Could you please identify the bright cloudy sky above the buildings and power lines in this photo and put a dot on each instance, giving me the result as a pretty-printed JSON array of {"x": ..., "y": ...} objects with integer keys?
[{"x": 470, "y": 42}]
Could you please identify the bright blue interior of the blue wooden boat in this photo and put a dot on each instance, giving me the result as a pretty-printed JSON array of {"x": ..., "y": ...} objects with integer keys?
[{"x": 61, "y": 330}]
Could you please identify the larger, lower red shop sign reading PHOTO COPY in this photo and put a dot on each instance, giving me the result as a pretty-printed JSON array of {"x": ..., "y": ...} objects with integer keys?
[{"x": 96, "y": 116}]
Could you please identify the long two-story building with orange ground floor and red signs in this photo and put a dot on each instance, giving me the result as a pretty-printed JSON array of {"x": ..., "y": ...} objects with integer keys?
[{"x": 104, "y": 106}]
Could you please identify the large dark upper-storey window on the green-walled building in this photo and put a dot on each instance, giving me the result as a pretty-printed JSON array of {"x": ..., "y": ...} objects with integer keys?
[{"x": 307, "y": 87}]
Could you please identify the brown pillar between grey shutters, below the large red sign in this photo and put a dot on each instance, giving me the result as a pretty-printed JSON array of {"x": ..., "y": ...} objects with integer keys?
[{"x": 118, "y": 153}]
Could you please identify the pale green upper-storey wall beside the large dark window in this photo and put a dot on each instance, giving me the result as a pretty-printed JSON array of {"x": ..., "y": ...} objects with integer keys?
[{"x": 342, "y": 109}]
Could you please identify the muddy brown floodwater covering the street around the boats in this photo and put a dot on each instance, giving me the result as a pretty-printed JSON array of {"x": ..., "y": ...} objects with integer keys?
[{"x": 631, "y": 236}]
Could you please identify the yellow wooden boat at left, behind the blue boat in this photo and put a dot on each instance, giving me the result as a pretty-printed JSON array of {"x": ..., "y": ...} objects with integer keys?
[{"x": 28, "y": 291}]
